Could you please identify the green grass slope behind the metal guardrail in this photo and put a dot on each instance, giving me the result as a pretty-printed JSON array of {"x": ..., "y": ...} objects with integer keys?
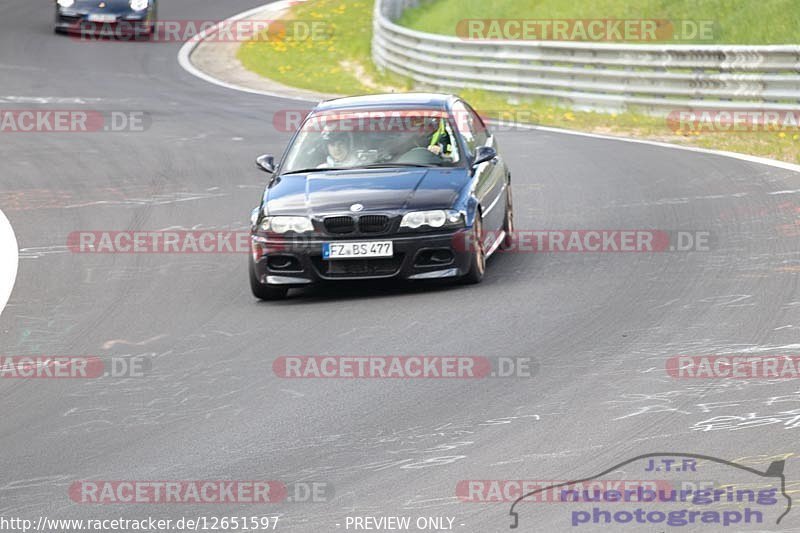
[{"x": 734, "y": 21}]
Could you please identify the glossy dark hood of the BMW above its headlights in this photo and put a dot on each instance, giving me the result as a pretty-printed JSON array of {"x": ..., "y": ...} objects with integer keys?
[{"x": 384, "y": 190}]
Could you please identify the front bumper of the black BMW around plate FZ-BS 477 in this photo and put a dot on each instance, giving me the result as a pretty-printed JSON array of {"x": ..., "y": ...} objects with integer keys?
[{"x": 416, "y": 257}]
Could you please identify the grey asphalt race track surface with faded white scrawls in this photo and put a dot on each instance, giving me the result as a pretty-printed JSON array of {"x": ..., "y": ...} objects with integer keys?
[{"x": 600, "y": 325}]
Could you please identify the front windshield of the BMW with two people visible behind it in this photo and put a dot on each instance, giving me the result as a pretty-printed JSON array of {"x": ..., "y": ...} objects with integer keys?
[{"x": 347, "y": 140}]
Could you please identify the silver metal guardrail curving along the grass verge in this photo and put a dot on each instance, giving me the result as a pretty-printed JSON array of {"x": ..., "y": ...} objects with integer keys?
[{"x": 606, "y": 77}]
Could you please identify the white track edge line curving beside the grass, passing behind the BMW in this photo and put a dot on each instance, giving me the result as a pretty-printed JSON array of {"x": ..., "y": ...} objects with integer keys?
[{"x": 185, "y": 62}]
